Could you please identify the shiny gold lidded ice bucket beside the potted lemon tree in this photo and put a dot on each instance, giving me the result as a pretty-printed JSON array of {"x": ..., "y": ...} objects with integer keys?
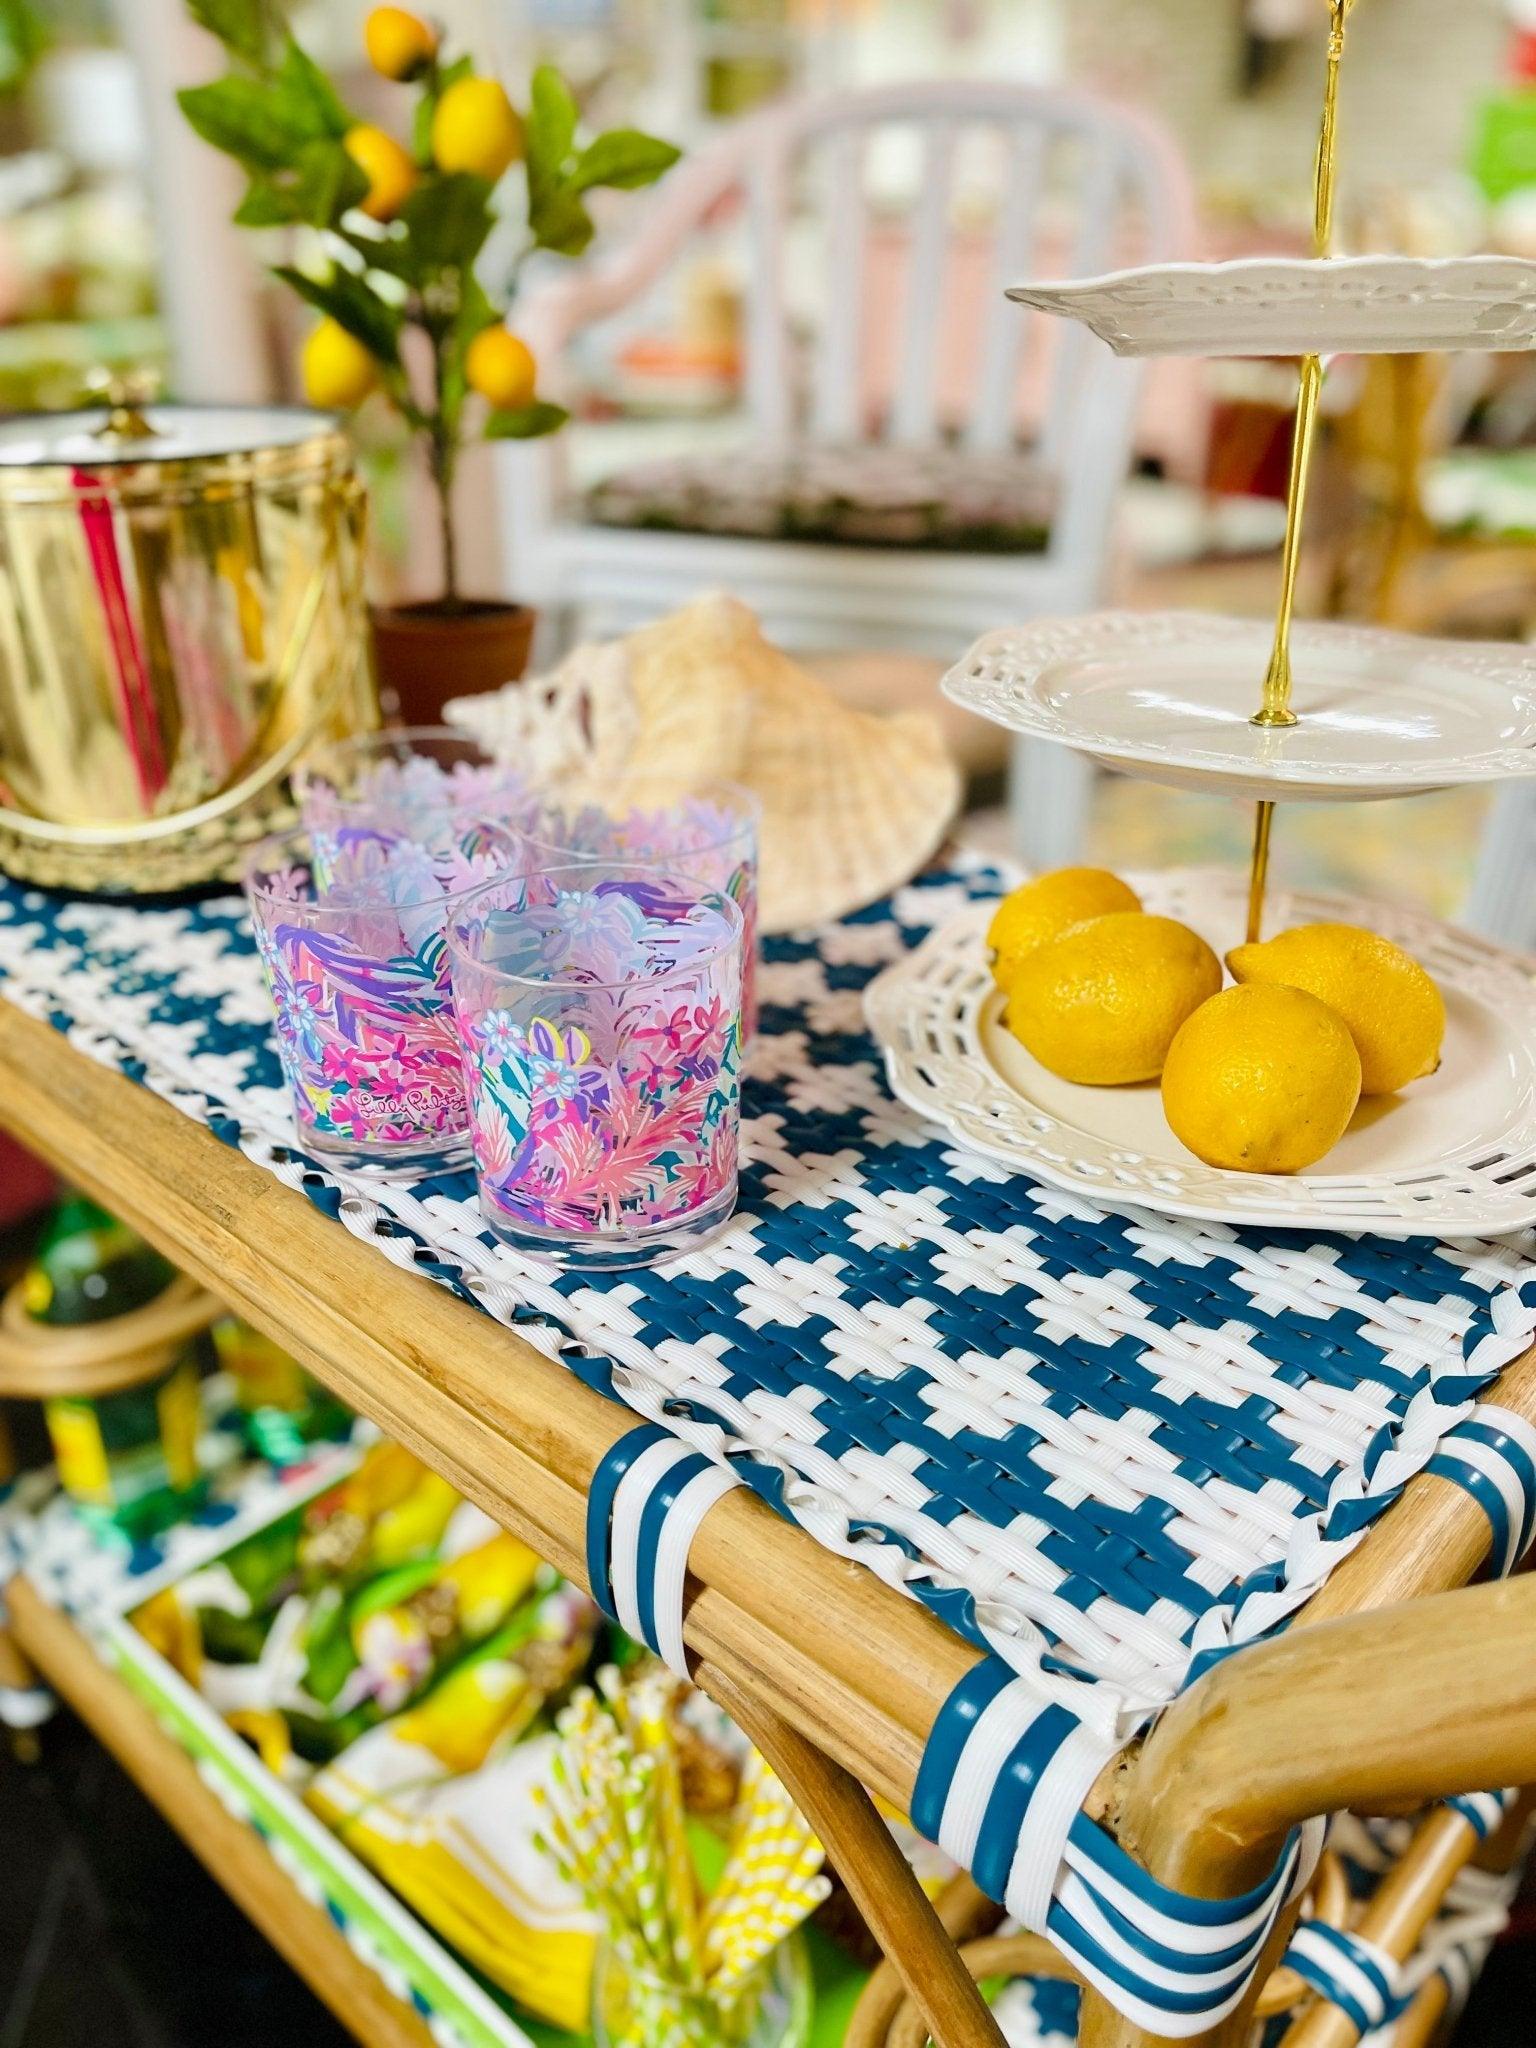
[{"x": 181, "y": 617}]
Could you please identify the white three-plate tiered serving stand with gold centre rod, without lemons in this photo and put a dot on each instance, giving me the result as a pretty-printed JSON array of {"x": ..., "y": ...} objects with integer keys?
[{"x": 1310, "y": 714}]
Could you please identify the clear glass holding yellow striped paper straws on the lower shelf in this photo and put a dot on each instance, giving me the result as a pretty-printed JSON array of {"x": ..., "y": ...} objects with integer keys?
[{"x": 638, "y": 2008}]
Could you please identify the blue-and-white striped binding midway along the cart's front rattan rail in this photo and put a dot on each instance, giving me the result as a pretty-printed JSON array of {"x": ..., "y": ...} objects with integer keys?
[{"x": 644, "y": 1510}]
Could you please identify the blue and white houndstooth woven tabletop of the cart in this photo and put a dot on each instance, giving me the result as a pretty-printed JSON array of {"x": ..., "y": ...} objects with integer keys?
[{"x": 1076, "y": 1437}]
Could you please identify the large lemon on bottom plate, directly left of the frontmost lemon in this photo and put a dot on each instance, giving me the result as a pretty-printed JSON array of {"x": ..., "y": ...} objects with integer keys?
[{"x": 1101, "y": 1005}]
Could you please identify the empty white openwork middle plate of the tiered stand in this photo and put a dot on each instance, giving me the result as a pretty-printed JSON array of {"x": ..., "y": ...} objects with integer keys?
[{"x": 1172, "y": 697}]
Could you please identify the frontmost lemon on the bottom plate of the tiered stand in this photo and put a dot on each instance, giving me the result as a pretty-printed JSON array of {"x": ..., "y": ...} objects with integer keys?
[{"x": 1263, "y": 1080}]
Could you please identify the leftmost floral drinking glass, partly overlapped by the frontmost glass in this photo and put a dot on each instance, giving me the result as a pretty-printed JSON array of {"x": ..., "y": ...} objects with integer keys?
[{"x": 357, "y": 966}]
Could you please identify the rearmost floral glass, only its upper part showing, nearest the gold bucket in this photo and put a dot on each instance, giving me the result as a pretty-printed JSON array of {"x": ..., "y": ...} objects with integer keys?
[{"x": 411, "y": 783}]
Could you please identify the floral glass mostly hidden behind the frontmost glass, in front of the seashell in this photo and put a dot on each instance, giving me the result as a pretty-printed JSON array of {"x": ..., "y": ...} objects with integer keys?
[{"x": 708, "y": 833}]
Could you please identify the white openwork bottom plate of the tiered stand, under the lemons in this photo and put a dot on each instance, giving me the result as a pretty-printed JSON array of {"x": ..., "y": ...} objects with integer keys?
[{"x": 1455, "y": 1156}]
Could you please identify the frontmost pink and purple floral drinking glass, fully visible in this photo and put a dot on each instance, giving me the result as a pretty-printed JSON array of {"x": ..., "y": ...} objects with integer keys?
[{"x": 601, "y": 1019}]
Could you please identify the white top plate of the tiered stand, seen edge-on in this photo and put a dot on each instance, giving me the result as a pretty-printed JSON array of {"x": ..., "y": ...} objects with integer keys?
[{"x": 1295, "y": 306}]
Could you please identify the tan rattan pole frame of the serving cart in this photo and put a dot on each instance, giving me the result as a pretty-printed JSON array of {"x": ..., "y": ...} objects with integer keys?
[{"x": 1369, "y": 1701}]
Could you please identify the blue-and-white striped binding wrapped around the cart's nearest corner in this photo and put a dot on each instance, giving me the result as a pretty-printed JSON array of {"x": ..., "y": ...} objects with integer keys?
[{"x": 1002, "y": 1787}]
